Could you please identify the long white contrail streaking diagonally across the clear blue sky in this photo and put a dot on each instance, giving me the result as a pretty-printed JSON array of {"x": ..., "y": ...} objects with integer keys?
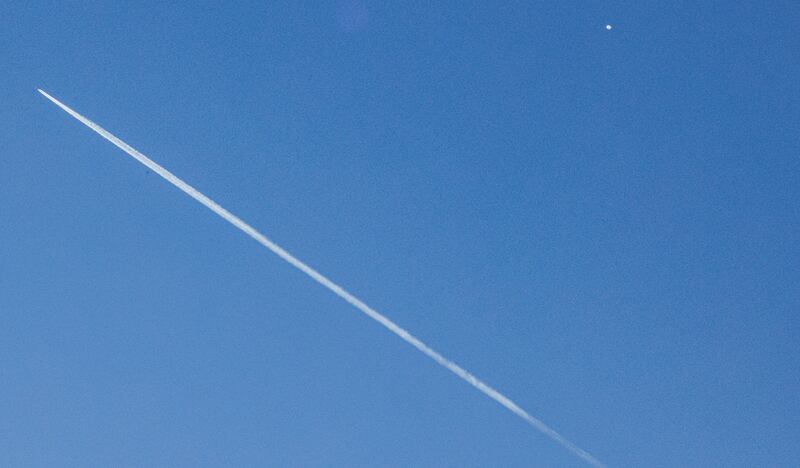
[{"x": 335, "y": 288}]
